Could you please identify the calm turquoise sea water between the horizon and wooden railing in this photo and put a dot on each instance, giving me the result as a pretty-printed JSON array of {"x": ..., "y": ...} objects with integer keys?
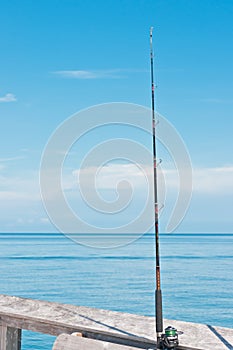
[{"x": 197, "y": 277}]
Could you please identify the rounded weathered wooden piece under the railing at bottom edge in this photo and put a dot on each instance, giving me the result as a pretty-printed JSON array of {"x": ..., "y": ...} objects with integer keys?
[{"x": 72, "y": 342}]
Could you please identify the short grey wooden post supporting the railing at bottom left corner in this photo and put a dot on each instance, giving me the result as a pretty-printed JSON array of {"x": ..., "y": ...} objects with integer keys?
[{"x": 10, "y": 338}]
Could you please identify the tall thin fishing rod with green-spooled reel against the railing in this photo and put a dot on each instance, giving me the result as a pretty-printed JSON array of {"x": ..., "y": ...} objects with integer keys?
[{"x": 168, "y": 340}]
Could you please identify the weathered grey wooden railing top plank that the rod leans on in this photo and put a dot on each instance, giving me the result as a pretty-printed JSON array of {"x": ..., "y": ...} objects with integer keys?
[{"x": 116, "y": 327}]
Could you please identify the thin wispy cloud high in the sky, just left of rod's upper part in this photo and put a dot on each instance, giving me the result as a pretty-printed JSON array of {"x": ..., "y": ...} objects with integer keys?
[{"x": 96, "y": 74}]
